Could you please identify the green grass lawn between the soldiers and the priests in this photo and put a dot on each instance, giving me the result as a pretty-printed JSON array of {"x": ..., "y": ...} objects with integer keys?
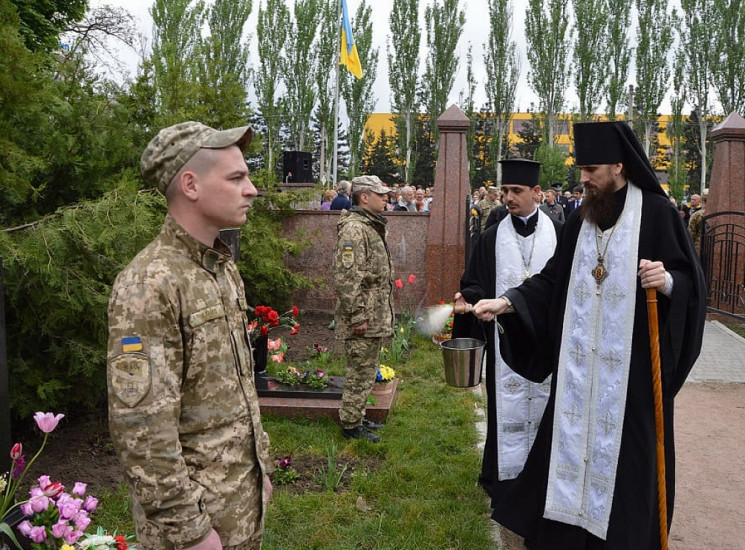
[{"x": 422, "y": 492}]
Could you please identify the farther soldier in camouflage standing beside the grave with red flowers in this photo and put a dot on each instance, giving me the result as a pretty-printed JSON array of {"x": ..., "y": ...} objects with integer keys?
[{"x": 363, "y": 277}]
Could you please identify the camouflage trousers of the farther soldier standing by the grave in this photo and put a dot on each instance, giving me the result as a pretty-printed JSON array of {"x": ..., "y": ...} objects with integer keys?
[{"x": 362, "y": 358}]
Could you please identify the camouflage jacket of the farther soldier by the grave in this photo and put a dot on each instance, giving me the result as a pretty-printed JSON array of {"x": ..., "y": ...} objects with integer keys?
[{"x": 363, "y": 274}]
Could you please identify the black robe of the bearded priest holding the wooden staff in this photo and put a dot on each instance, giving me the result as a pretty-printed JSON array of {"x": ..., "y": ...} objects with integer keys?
[{"x": 530, "y": 346}]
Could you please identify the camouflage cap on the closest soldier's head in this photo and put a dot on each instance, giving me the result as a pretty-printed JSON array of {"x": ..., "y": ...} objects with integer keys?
[{"x": 173, "y": 146}]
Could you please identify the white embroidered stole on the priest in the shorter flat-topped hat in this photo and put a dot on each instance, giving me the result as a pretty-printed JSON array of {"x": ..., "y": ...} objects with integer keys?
[{"x": 519, "y": 402}]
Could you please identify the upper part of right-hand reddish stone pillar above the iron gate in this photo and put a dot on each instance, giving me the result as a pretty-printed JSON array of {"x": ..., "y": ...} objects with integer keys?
[{"x": 727, "y": 187}]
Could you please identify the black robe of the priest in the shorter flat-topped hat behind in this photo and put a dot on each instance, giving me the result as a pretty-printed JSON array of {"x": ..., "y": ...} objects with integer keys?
[{"x": 479, "y": 282}]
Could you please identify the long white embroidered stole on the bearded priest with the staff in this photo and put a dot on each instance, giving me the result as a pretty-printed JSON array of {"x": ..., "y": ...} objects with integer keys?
[{"x": 593, "y": 373}]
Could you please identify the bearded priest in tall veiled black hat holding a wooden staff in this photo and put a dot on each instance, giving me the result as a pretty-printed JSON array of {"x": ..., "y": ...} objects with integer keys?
[{"x": 590, "y": 479}]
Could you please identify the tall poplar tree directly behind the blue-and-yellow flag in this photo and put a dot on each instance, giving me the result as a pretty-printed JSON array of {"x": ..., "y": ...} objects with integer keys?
[{"x": 357, "y": 93}]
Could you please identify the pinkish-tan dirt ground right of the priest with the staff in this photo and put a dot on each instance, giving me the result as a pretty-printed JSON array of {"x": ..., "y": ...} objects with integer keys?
[{"x": 710, "y": 470}]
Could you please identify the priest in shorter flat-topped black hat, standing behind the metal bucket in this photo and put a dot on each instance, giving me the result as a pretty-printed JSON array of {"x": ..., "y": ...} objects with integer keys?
[{"x": 508, "y": 252}]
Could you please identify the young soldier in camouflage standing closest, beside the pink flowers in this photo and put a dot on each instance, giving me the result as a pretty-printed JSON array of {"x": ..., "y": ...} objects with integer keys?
[{"x": 183, "y": 409}]
